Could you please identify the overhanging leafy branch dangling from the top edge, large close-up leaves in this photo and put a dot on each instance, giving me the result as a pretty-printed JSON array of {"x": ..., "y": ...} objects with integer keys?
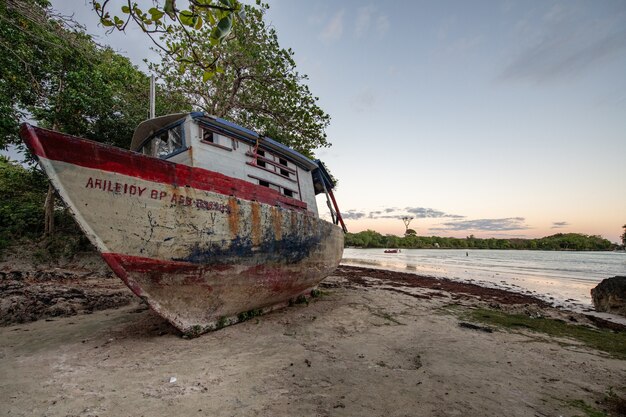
[{"x": 214, "y": 18}]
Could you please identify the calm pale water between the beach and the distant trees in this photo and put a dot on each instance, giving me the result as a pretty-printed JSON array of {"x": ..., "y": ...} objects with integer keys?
[{"x": 561, "y": 278}]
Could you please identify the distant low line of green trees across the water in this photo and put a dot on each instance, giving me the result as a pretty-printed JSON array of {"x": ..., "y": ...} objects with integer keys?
[{"x": 559, "y": 241}]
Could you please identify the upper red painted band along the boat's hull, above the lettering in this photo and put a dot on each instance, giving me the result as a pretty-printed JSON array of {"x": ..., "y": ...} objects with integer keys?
[{"x": 65, "y": 148}]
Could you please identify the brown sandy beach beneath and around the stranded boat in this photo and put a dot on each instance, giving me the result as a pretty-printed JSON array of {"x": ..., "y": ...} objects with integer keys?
[{"x": 374, "y": 343}]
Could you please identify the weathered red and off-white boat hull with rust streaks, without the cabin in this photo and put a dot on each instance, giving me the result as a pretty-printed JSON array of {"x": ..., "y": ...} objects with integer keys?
[{"x": 200, "y": 248}]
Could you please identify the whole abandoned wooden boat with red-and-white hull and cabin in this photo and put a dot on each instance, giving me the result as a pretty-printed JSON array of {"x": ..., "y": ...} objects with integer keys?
[{"x": 207, "y": 221}]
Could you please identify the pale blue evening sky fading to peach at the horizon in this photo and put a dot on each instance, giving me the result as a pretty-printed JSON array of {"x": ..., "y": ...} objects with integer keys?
[{"x": 492, "y": 118}]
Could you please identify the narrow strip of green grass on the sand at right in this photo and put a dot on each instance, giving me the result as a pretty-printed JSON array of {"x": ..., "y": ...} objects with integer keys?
[{"x": 613, "y": 343}]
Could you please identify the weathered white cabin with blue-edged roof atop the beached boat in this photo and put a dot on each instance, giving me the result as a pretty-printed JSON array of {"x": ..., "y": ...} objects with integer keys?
[{"x": 203, "y": 141}]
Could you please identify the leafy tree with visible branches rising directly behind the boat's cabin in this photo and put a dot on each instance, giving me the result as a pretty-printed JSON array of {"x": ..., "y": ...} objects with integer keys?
[{"x": 257, "y": 85}]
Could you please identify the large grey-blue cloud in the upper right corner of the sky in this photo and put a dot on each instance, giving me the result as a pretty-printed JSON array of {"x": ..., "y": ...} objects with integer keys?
[{"x": 567, "y": 45}]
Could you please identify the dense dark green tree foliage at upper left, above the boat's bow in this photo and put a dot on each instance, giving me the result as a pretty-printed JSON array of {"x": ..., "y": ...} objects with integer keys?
[{"x": 57, "y": 75}]
